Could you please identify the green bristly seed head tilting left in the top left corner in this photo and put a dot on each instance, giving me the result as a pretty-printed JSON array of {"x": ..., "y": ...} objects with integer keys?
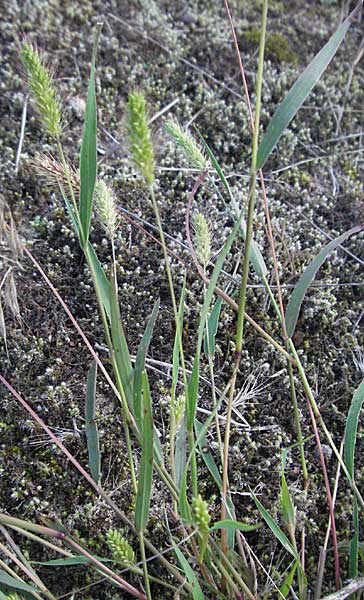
[{"x": 41, "y": 84}]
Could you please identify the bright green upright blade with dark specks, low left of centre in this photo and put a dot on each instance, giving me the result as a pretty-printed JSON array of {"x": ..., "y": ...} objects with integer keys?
[{"x": 146, "y": 461}]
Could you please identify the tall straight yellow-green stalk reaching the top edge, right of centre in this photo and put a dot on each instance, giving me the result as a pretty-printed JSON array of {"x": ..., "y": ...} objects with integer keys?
[{"x": 246, "y": 262}]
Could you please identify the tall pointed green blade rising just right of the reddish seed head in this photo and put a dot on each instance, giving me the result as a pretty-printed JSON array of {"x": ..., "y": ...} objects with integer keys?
[{"x": 88, "y": 157}]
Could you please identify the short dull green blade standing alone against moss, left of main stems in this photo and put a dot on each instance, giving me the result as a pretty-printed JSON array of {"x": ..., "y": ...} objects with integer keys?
[{"x": 92, "y": 434}]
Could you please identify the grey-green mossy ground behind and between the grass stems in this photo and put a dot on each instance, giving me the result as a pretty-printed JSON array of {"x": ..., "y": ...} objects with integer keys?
[{"x": 314, "y": 189}]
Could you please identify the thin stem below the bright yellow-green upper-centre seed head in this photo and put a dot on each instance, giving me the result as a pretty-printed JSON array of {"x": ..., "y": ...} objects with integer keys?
[{"x": 175, "y": 311}]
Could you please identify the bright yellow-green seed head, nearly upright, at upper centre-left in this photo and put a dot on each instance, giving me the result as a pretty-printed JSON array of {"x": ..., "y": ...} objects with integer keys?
[{"x": 140, "y": 136}]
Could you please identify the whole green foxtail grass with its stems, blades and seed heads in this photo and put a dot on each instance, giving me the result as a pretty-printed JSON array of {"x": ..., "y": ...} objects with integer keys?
[{"x": 207, "y": 554}]
